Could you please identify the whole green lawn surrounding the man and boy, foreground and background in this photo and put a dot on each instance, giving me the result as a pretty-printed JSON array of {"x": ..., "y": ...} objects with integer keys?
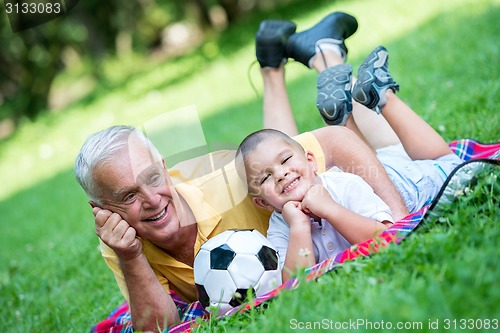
[{"x": 445, "y": 56}]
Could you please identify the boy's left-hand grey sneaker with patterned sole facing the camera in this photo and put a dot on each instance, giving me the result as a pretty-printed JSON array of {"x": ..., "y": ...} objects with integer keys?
[{"x": 334, "y": 99}]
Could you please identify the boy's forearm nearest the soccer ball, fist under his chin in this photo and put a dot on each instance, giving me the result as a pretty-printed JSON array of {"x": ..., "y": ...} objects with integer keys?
[{"x": 300, "y": 252}]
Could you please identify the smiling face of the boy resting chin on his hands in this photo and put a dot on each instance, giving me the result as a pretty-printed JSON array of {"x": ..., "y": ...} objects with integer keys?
[{"x": 278, "y": 172}]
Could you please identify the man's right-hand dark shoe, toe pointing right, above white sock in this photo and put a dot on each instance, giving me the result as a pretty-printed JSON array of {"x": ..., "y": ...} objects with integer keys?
[{"x": 333, "y": 28}]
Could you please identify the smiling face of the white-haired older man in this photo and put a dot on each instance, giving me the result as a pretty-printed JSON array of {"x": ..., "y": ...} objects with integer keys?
[{"x": 135, "y": 185}]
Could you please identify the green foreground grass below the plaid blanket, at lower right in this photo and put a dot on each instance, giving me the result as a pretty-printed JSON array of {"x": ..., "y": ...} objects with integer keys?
[{"x": 446, "y": 270}]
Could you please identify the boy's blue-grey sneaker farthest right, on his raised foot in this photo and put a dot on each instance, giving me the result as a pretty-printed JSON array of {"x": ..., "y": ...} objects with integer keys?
[{"x": 374, "y": 79}]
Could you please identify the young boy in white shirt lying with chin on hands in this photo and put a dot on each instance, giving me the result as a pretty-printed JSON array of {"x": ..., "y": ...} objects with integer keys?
[{"x": 322, "y": 215}]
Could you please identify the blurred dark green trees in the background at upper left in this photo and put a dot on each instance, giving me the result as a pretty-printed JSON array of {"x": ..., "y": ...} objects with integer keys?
[{"x": 30, "y": 59}]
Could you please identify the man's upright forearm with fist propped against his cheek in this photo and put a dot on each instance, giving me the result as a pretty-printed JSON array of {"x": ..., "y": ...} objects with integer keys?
[{"x": 151, "y": 307}]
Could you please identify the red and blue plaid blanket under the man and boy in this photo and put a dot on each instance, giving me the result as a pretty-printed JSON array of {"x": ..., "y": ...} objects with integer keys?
[{"x": 119, "y": 321}]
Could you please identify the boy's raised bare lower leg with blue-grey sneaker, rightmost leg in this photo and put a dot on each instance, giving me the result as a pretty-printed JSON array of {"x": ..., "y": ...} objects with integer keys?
[{"x": 376, "y": 89}]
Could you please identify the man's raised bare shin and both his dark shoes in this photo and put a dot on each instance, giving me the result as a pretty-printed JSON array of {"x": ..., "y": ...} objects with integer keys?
[{"x": 276, "y": 41}]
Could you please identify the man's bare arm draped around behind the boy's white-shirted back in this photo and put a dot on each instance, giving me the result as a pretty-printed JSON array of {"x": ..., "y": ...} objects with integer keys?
[{"x": 344, "y": 149}]
